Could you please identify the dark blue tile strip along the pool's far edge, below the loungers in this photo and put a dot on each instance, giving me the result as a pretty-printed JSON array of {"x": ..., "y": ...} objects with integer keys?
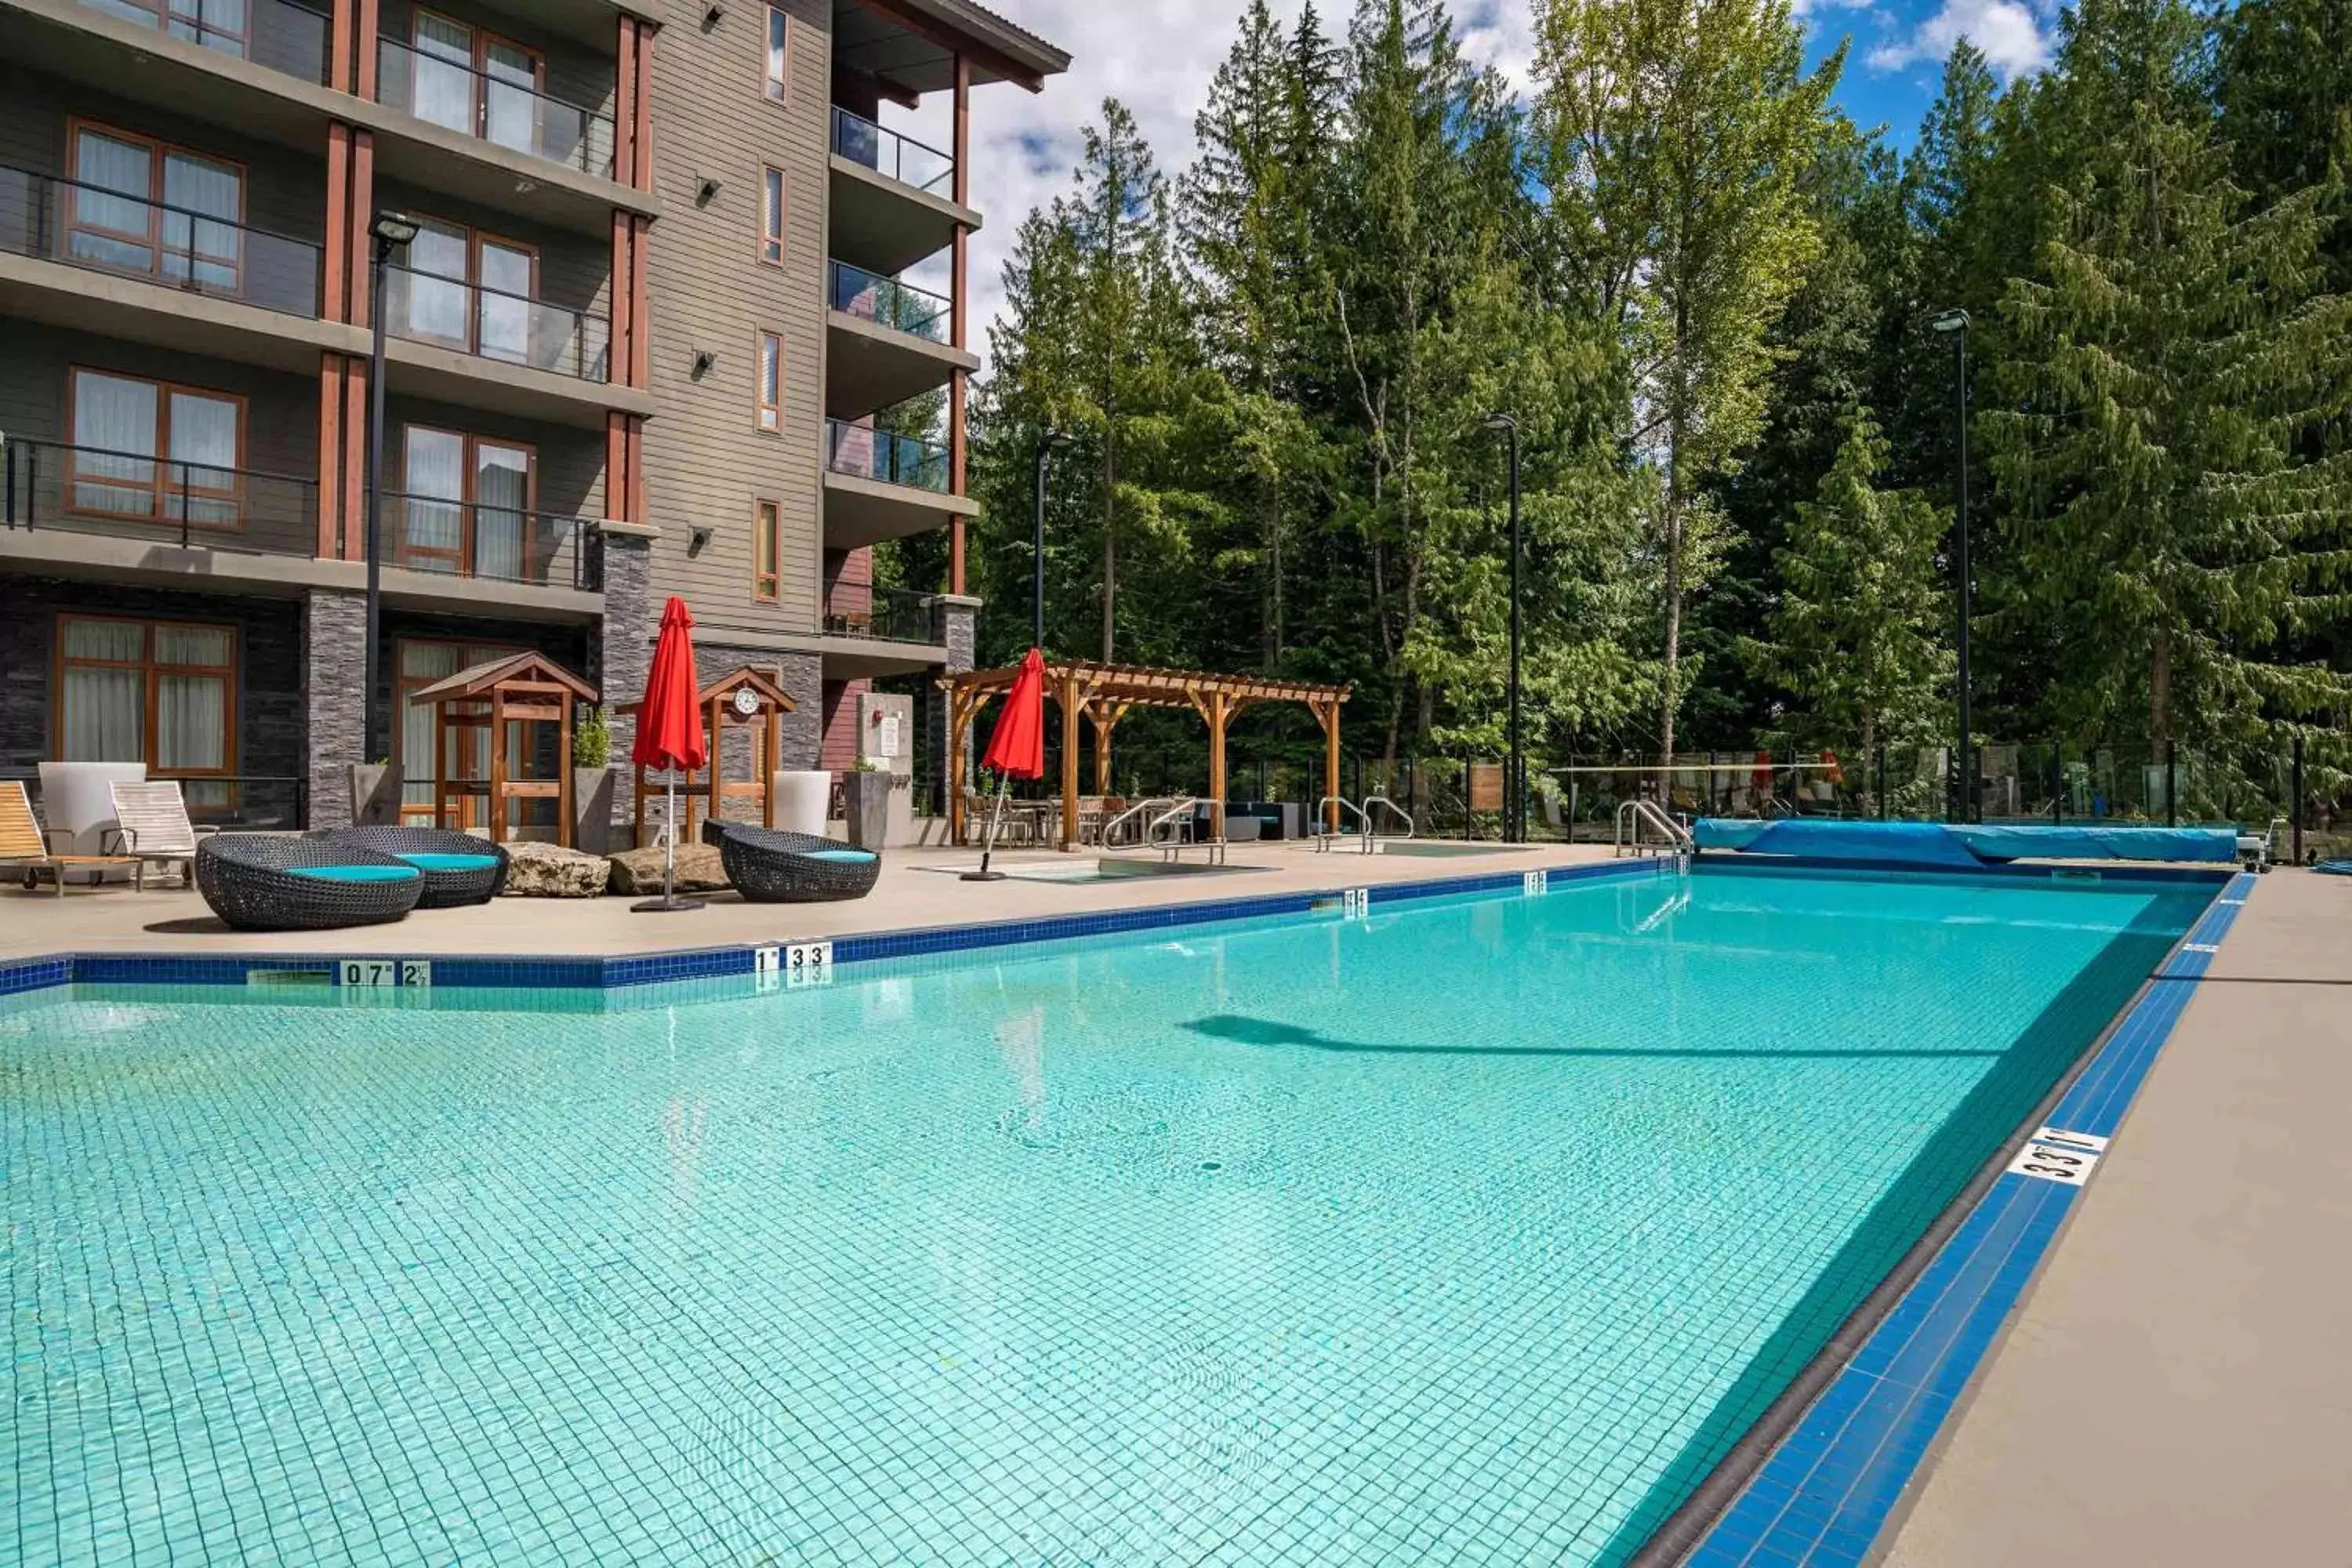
[{"x": 592, "y": 972}]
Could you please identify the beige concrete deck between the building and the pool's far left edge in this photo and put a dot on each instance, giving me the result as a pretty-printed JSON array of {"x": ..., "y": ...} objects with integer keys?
[{"x": 918, "y": 890}]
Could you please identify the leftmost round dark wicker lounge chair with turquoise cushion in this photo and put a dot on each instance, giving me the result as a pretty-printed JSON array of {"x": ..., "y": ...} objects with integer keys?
[{"x": 283, "y": 883}]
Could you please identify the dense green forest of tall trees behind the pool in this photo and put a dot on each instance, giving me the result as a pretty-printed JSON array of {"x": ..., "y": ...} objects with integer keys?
[{"x": 1711, "y": 307}]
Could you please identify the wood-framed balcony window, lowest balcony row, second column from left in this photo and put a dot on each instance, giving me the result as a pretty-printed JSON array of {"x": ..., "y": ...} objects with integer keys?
[{"x": 465, "y": 507}]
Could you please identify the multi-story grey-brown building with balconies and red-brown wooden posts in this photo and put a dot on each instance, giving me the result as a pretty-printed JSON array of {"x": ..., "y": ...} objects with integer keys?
[{"x": 636, "y": 344}]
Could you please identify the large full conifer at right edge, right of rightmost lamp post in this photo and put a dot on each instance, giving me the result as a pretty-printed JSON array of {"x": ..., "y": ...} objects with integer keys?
[{"x": 2174, "y": 354}]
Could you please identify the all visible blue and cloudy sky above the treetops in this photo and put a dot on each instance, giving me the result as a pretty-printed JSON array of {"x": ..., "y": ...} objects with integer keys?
[{"x": 1158, "y": 58}]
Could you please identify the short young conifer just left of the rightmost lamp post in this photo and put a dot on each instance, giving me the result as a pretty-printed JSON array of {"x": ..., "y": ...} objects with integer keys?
[{"x": 1862, "y": 634}]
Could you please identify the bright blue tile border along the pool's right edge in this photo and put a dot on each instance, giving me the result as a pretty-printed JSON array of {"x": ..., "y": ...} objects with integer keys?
[{"x": 1829, "y": 1489}]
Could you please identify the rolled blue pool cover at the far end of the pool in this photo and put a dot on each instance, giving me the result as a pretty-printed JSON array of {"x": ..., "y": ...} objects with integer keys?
[{"x": 1963, "y": 847}]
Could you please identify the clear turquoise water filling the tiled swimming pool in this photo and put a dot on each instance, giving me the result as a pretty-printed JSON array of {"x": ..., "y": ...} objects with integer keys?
[{"x": 1471, "y": 1233}]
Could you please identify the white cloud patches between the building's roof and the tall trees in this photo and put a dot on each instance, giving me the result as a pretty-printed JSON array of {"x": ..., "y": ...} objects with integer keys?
[{"x": 1151, "y": 55}]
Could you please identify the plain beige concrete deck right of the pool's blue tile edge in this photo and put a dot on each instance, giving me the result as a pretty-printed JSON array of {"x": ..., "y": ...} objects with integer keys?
[{"x": 2174, "y": 1391}]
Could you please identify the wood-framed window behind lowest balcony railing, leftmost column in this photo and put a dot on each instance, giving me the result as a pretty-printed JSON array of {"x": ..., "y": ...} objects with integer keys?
[{"x": 156, "y": 453}]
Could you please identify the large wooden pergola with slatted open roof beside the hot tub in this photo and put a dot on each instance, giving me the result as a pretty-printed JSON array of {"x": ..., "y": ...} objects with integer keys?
[{"x": 1104, "y": 695}]
